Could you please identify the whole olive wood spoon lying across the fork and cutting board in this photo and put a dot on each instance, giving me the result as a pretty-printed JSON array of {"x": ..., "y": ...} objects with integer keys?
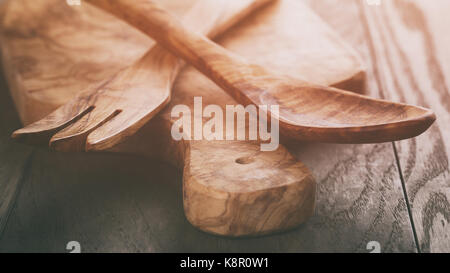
[{"x": 307, "y": 112}]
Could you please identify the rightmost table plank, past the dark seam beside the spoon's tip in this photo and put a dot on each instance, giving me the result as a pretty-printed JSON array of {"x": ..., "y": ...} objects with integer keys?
[{"x": 410, "y": 52}]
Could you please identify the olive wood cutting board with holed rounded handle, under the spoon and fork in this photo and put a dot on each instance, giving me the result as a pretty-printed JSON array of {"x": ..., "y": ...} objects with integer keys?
[{"x": 52, "y": 51}]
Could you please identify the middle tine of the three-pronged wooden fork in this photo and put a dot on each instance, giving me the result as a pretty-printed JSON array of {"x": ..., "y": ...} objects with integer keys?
[{"x": 73, "y": 137}]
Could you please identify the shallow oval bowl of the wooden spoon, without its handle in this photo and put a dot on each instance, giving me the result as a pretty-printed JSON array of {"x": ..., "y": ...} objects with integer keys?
[{"x": 309, "y": 112}]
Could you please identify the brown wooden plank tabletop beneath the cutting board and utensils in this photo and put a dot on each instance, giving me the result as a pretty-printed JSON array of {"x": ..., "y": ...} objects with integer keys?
[{"x": 394, "y": 193}]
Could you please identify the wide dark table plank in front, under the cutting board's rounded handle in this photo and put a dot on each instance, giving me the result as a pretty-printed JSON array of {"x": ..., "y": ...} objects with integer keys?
[{"x": 93, "y": 199}]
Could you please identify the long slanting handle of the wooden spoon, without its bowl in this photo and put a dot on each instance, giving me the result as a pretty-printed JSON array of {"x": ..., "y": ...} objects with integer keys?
[{"x": 209, "y": 58}]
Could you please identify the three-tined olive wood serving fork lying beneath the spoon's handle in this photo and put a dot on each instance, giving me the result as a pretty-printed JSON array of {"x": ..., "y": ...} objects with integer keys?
[{"x": 107, "y": 112}]
